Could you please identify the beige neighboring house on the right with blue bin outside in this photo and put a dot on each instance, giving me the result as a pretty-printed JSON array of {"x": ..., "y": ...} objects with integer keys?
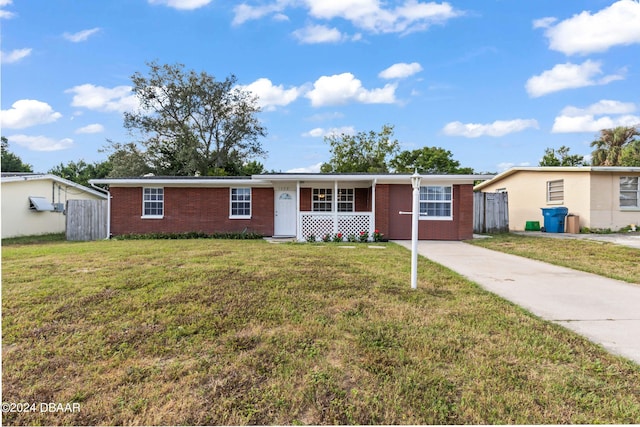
[{"x": 603, "y": 197}]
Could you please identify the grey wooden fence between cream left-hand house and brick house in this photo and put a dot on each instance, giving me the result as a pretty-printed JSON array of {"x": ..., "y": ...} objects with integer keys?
[{"x": 86, "y": 219}]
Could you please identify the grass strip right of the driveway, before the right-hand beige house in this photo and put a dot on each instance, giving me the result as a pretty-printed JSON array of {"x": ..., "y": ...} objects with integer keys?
[{"x": 602, "y": 258}]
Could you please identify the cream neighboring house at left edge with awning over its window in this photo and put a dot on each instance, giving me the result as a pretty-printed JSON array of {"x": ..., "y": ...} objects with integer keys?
[{"x": 34, "y": 204}]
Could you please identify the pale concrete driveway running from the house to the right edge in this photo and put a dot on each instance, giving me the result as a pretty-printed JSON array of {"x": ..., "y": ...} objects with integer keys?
[{"x": 606, "y": 311}]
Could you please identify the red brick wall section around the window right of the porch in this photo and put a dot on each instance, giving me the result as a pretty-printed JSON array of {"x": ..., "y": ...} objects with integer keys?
[{"x": 460, "y": 228}]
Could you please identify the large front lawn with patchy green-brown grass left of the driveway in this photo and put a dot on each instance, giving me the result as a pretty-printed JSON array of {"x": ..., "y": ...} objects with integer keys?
[{"x": 248, "y": 332}]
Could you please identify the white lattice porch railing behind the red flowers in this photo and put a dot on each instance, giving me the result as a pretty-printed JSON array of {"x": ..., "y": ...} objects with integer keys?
[{"x": 319, "y": 224}]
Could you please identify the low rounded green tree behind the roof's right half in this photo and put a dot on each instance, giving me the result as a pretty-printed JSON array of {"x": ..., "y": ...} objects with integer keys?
[{"x": 428, "y": 160}]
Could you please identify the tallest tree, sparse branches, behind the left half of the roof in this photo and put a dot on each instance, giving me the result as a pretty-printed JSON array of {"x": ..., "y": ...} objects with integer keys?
[{"x": 191, "y": 123}]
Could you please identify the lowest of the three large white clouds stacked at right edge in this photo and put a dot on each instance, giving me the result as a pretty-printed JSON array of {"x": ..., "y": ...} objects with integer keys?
[{"x": 604, "y": 114}]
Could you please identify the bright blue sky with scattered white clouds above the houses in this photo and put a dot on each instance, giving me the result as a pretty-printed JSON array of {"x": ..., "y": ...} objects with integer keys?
[{"x": 493, "y": 81}]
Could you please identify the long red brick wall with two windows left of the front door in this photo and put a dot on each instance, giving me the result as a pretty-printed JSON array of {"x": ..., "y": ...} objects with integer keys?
[{"x": 190, "y": 209}]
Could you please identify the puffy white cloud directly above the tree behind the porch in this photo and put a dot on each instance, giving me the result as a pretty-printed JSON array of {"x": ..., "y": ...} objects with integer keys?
[{"x": 344, "y": 88}]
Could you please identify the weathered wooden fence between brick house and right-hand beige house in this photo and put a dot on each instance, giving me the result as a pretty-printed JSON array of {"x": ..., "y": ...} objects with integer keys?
[{"x": 490, "y": 212}]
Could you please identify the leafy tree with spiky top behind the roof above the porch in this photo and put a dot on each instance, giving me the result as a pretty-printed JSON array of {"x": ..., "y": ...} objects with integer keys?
[{"x": 363, "y": 152}]
